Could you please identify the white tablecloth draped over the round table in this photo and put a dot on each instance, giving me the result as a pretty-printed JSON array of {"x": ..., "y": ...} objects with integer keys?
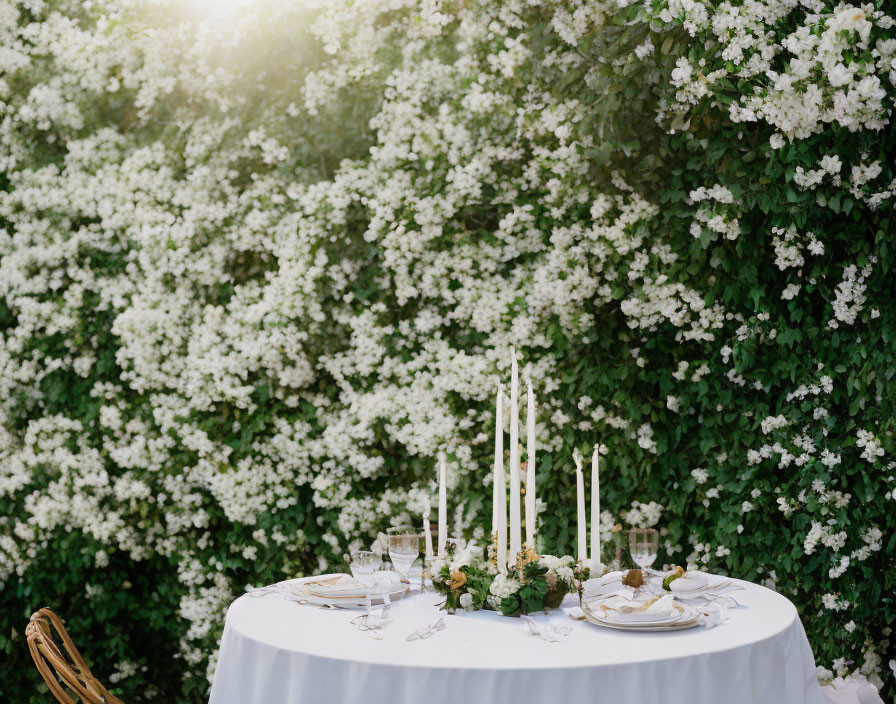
[{"x": 274, "y": 651}]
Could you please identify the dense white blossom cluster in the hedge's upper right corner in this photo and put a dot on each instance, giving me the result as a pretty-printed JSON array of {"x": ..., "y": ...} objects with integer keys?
[{"x": 820, "y": 83}]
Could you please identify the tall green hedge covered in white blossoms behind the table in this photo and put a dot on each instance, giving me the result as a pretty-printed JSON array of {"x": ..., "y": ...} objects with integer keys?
[{"x": 260, "y": 262}]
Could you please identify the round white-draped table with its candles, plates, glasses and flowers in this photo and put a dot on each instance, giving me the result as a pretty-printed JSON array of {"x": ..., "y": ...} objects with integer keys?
[{"x": 438, "y": 618}]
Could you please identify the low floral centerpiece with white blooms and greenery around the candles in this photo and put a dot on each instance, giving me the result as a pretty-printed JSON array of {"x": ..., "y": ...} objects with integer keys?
[{"x": 471, "y": 582}]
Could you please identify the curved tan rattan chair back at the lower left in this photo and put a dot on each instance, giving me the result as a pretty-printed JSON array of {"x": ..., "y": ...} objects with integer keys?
[{"x": 63, "y": 667}]
